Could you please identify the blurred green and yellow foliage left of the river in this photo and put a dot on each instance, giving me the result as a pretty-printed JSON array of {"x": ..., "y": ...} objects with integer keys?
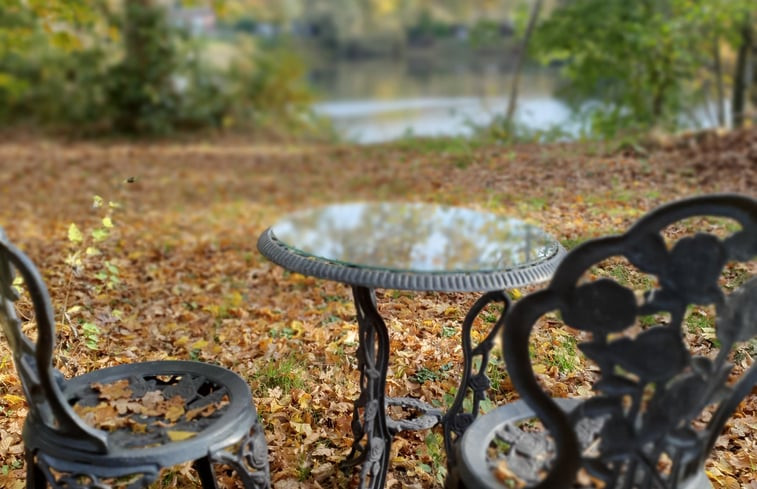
[{"x": 99, "y": 68}]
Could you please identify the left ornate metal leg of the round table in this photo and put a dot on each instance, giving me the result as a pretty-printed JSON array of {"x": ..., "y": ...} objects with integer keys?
[{"x": 373, "y": 437}]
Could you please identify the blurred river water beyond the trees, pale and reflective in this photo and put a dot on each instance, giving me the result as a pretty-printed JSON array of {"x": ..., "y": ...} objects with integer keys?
[{"x": 382, "y": 99}]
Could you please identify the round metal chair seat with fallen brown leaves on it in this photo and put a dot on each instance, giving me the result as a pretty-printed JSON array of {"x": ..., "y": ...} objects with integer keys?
[{"x": 161, "y": 412}]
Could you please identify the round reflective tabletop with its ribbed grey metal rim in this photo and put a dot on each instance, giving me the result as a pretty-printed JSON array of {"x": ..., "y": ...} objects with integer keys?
[{"x": 410, "y": 245}]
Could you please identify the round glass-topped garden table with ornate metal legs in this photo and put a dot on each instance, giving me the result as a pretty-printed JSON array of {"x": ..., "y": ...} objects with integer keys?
[{"x": 410, "y": 246}]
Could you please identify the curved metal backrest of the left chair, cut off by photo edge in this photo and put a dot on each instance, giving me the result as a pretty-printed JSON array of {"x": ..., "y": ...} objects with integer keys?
[{"x": 33, "y": 359}]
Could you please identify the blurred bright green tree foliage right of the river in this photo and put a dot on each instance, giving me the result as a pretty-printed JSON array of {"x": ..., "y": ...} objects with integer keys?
[{"x": 634, "y": 65}]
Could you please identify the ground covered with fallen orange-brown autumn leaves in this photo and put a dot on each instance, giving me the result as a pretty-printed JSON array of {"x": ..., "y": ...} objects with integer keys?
[{"x": 178, "y": 274}]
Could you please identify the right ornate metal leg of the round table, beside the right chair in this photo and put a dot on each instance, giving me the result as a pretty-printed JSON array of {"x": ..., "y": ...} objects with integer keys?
[{"x": 456, "y": 420}]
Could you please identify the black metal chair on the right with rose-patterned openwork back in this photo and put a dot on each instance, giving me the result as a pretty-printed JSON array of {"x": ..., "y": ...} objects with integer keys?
[{"x": 644, "y": 427}]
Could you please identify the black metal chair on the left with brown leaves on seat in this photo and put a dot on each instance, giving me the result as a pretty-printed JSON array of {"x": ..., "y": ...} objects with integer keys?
[{"x": 122, "y": 425}]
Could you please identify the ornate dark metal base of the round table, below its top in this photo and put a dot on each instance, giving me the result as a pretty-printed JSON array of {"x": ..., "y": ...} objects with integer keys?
[{"x": 372, "y": 428}]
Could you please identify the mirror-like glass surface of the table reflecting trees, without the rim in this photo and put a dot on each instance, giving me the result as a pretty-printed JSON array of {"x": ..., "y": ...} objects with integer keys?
[{"x": 420, "y": 237}]
